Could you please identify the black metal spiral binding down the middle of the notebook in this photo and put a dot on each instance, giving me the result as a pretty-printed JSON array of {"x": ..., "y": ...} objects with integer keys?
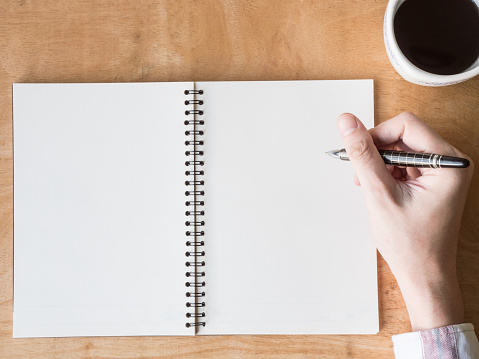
[{"x": 194, "y": 223}]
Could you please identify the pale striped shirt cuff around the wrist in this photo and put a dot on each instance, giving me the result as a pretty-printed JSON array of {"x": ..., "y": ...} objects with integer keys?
[{"x": 451, "y": 342}]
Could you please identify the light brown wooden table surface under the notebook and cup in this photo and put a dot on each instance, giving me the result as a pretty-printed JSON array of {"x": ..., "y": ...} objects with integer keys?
[{"x": 155, "y": 40}]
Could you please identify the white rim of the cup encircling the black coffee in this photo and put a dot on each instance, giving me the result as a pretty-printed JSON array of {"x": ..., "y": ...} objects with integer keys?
[{"x": 409, "y": 66}]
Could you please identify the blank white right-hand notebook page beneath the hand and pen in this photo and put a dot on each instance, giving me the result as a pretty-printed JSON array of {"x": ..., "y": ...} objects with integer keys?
[{"x": 288, "y": 249}]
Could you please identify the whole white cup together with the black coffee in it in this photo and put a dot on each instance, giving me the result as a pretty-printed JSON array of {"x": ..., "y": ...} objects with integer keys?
[{"x": 433, "y": 42}]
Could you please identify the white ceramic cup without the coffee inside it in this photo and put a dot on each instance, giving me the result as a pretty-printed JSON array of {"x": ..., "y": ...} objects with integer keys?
[{"x": 409, "y": 71}]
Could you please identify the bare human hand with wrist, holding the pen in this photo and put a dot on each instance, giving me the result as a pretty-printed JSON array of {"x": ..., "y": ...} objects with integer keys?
[{"x": 415, "y": 213}]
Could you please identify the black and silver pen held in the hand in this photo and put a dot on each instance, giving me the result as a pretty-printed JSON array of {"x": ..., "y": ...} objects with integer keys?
[{"x": 411, "y": 159}]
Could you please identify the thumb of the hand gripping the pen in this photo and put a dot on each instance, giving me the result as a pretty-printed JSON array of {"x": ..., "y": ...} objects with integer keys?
[{"x": 364, "y": 156}]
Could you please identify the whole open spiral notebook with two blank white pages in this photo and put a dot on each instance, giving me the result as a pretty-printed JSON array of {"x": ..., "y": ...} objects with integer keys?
[{"x": 142, "y": 209}]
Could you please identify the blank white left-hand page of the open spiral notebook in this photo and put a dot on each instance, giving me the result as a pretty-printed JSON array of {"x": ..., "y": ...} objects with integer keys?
[{"x": 99, "y": 244}]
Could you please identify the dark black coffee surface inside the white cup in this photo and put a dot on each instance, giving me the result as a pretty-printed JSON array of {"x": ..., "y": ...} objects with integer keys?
[{"x": 438, "y": 36}]
